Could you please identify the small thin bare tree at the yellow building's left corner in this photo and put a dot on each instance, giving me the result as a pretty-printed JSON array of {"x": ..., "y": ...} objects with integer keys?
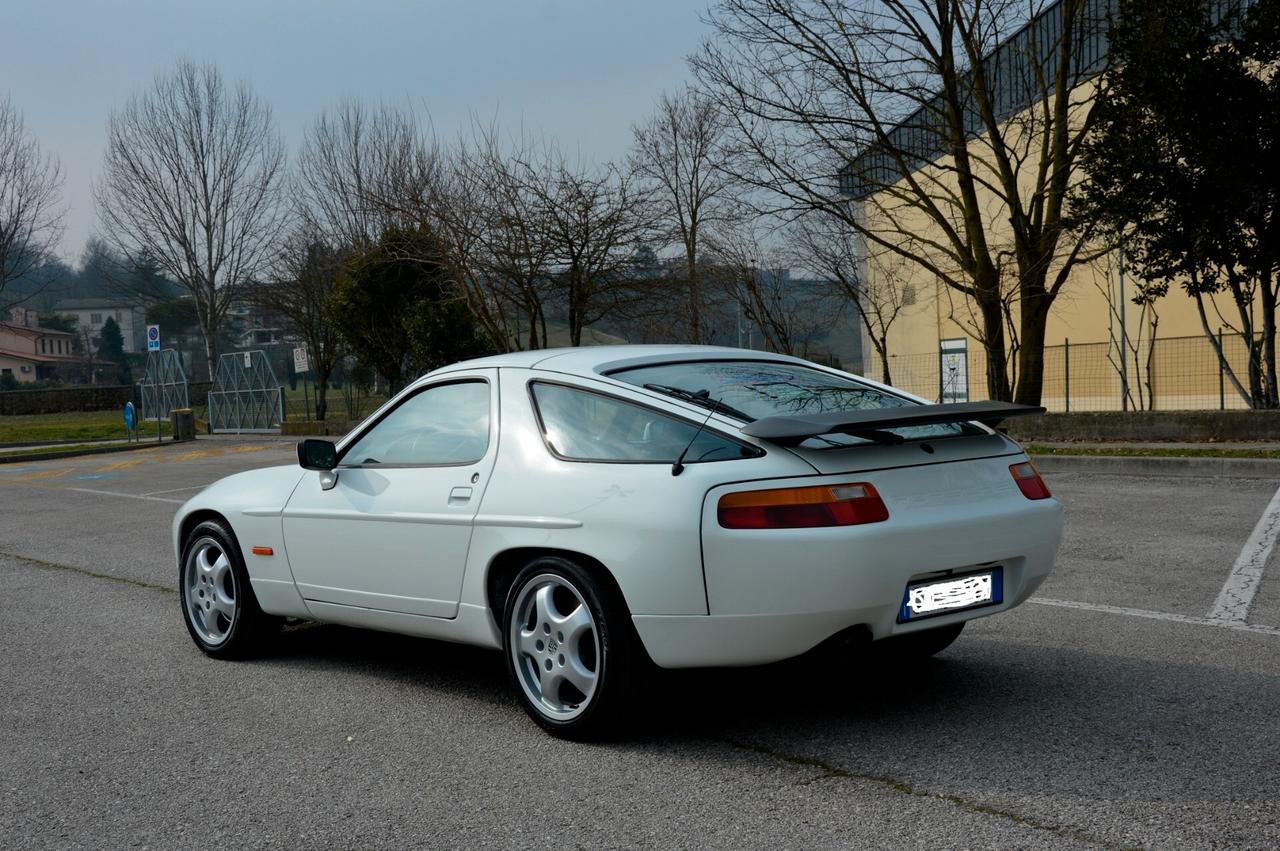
[{"x": 875, "y": 285}]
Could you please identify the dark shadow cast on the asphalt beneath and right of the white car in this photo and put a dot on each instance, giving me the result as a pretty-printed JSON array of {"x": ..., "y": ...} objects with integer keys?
[{"x": 999, "y": 716}]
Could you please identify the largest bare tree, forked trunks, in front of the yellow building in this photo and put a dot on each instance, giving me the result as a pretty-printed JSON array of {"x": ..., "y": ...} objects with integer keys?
[{"x": 943, "y": 131}]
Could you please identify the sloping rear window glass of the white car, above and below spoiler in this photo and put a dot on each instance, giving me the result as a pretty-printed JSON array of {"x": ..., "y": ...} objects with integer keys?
[{"x": 761, "y": 390}]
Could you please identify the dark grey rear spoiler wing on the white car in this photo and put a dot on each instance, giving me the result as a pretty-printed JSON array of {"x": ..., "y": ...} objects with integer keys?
[{"x": 875, "y": 423}]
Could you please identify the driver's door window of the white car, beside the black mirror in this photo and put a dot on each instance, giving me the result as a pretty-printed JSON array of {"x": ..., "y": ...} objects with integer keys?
[{"x": 447, "y": 424}]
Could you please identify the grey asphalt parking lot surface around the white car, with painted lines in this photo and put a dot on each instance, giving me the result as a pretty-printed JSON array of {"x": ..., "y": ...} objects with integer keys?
[{"x": 1131, "y": 704}]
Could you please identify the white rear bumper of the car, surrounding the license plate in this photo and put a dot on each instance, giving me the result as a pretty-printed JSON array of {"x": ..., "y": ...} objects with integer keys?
[{"x": 788, "y": 606}]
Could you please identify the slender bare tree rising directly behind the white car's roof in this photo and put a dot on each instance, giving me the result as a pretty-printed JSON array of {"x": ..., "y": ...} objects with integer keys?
[{"x": 676, "y": 152}]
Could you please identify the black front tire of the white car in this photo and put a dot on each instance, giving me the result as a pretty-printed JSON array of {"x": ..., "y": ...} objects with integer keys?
[{"x": 248, "y": 628}]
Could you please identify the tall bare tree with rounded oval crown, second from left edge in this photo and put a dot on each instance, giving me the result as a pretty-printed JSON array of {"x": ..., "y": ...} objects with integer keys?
[{"x": 193, "y": 180}]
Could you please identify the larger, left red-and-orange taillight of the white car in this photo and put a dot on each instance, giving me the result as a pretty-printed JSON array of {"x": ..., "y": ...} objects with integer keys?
[{"x": 803, "y": 507}]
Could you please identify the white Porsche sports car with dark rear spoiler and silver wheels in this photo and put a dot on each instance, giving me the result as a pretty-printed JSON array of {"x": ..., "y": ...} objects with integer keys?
[{"x": 595, "y": 511}]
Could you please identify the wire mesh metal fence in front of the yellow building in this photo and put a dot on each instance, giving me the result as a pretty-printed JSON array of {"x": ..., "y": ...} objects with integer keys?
[{"x": 1167, "y": 374}]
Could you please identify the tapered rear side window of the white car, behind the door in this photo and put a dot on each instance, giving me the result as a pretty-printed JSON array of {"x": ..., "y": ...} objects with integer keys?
[{"x": 582, "y": 425}]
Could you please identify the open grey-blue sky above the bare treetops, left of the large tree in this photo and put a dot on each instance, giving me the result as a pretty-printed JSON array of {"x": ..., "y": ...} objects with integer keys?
[{"x": 579, "y": 71}]
